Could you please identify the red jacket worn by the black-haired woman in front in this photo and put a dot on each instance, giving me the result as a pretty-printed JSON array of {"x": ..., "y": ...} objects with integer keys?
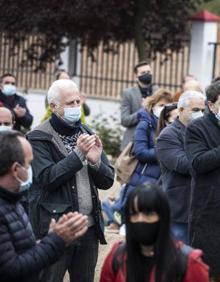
[{"x": 197, "y": 271}]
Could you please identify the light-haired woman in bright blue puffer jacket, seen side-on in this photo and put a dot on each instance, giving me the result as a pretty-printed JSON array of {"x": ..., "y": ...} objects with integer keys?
[{"x": 147, "y": 169}]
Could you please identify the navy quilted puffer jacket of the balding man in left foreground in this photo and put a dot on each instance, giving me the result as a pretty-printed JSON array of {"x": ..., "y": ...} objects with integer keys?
[{"x": 21, "y": 257}]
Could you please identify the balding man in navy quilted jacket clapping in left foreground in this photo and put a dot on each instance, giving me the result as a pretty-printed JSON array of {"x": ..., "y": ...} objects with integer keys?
[{"x": 22, "y": 258}]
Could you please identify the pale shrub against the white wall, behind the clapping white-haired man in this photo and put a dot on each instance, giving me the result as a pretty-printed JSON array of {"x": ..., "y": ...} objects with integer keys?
[{"x": 110, "y": 132}]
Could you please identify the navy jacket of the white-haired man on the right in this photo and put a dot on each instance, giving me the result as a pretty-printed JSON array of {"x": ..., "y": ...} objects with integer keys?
[{"x": 175, "y": 169}]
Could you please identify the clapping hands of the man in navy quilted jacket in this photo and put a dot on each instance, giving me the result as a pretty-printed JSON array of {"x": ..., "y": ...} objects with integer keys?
[{"x": 70, "y": 226}]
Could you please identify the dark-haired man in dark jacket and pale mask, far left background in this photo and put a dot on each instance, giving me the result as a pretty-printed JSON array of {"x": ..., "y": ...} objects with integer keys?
[{"x": 15, "y": 102}]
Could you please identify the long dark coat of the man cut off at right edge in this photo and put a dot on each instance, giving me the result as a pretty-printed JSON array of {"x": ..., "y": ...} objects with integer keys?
[{"x": 203, "y": 151}]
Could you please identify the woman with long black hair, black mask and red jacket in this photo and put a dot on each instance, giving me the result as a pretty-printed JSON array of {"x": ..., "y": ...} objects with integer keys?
[{"x": 150, "y": 254}]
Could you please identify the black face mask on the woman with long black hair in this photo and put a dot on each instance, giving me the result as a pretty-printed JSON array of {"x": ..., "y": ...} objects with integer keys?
[{"x": 145, "y": 233}]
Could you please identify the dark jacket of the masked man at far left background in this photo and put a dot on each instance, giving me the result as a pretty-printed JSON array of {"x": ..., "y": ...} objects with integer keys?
[{"x": 10, "y": 103}]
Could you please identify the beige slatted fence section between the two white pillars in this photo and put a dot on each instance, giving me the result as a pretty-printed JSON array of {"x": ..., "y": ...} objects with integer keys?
[{"x": 105, "y": 74}]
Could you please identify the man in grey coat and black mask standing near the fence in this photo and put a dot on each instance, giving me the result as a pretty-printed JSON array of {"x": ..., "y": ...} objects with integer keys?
[{"x": 132, "y": 99}]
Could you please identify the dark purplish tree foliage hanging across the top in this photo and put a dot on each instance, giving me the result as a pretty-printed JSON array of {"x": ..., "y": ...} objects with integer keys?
[{"x": 153, "y": 24}]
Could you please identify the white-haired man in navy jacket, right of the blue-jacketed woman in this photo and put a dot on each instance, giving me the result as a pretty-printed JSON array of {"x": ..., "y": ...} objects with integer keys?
[{"x": 175, "y": 167}]
